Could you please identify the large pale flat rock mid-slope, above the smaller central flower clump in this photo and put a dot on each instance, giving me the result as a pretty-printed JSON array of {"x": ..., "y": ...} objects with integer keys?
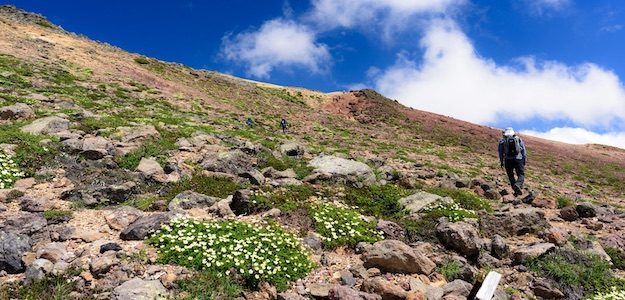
[{"x": 341, "y": 170}]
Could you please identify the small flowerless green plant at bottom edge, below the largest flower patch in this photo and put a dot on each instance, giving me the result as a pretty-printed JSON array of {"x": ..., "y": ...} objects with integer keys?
[{"x": 208, "y": 286}]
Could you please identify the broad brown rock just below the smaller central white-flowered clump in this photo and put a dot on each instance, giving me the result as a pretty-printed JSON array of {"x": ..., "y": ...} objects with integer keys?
[{"x": 396, "y": 257}]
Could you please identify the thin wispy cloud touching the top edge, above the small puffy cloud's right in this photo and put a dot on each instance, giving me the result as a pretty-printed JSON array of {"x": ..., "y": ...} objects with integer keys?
[{"x": 385, "y": 15}]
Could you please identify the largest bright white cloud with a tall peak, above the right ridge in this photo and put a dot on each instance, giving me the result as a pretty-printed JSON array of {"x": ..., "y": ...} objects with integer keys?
[{"x": 453, "y": 79}]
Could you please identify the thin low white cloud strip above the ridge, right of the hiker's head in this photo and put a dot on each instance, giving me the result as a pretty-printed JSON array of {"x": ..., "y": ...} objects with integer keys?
[{"x": 581, "y": 136}]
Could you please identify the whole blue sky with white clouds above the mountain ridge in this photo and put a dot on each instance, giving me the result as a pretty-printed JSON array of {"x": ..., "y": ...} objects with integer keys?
[{"x": 551, "y": 68}]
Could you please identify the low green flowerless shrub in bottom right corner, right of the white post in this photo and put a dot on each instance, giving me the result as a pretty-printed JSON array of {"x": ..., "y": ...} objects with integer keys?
[{"x": 575, "y": 270}]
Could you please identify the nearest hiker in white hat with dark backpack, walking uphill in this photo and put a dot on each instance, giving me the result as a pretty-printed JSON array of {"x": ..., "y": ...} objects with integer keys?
[{"x": 512, "y": 155}]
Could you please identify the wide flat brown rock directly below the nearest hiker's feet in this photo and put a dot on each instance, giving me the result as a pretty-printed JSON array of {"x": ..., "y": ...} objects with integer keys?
[{"x": 514, "y": 222}]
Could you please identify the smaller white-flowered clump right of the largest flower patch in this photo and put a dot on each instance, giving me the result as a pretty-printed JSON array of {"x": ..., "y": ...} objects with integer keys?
[{"x": 342, "y": 226}]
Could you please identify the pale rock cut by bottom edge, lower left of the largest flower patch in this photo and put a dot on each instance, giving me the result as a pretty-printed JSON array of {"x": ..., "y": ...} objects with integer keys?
[{"x": 138, "y": 289}]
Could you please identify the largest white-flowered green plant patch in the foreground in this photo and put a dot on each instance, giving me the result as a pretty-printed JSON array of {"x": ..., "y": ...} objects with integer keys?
[{"x": 256, "y": 253}]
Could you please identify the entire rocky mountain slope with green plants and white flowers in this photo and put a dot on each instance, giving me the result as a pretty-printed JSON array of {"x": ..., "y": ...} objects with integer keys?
[{"x": 125, "y": 177}]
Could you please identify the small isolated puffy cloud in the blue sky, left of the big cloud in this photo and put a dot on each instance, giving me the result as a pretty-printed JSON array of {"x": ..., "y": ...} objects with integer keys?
[{"x": 277, "y": 43}]
